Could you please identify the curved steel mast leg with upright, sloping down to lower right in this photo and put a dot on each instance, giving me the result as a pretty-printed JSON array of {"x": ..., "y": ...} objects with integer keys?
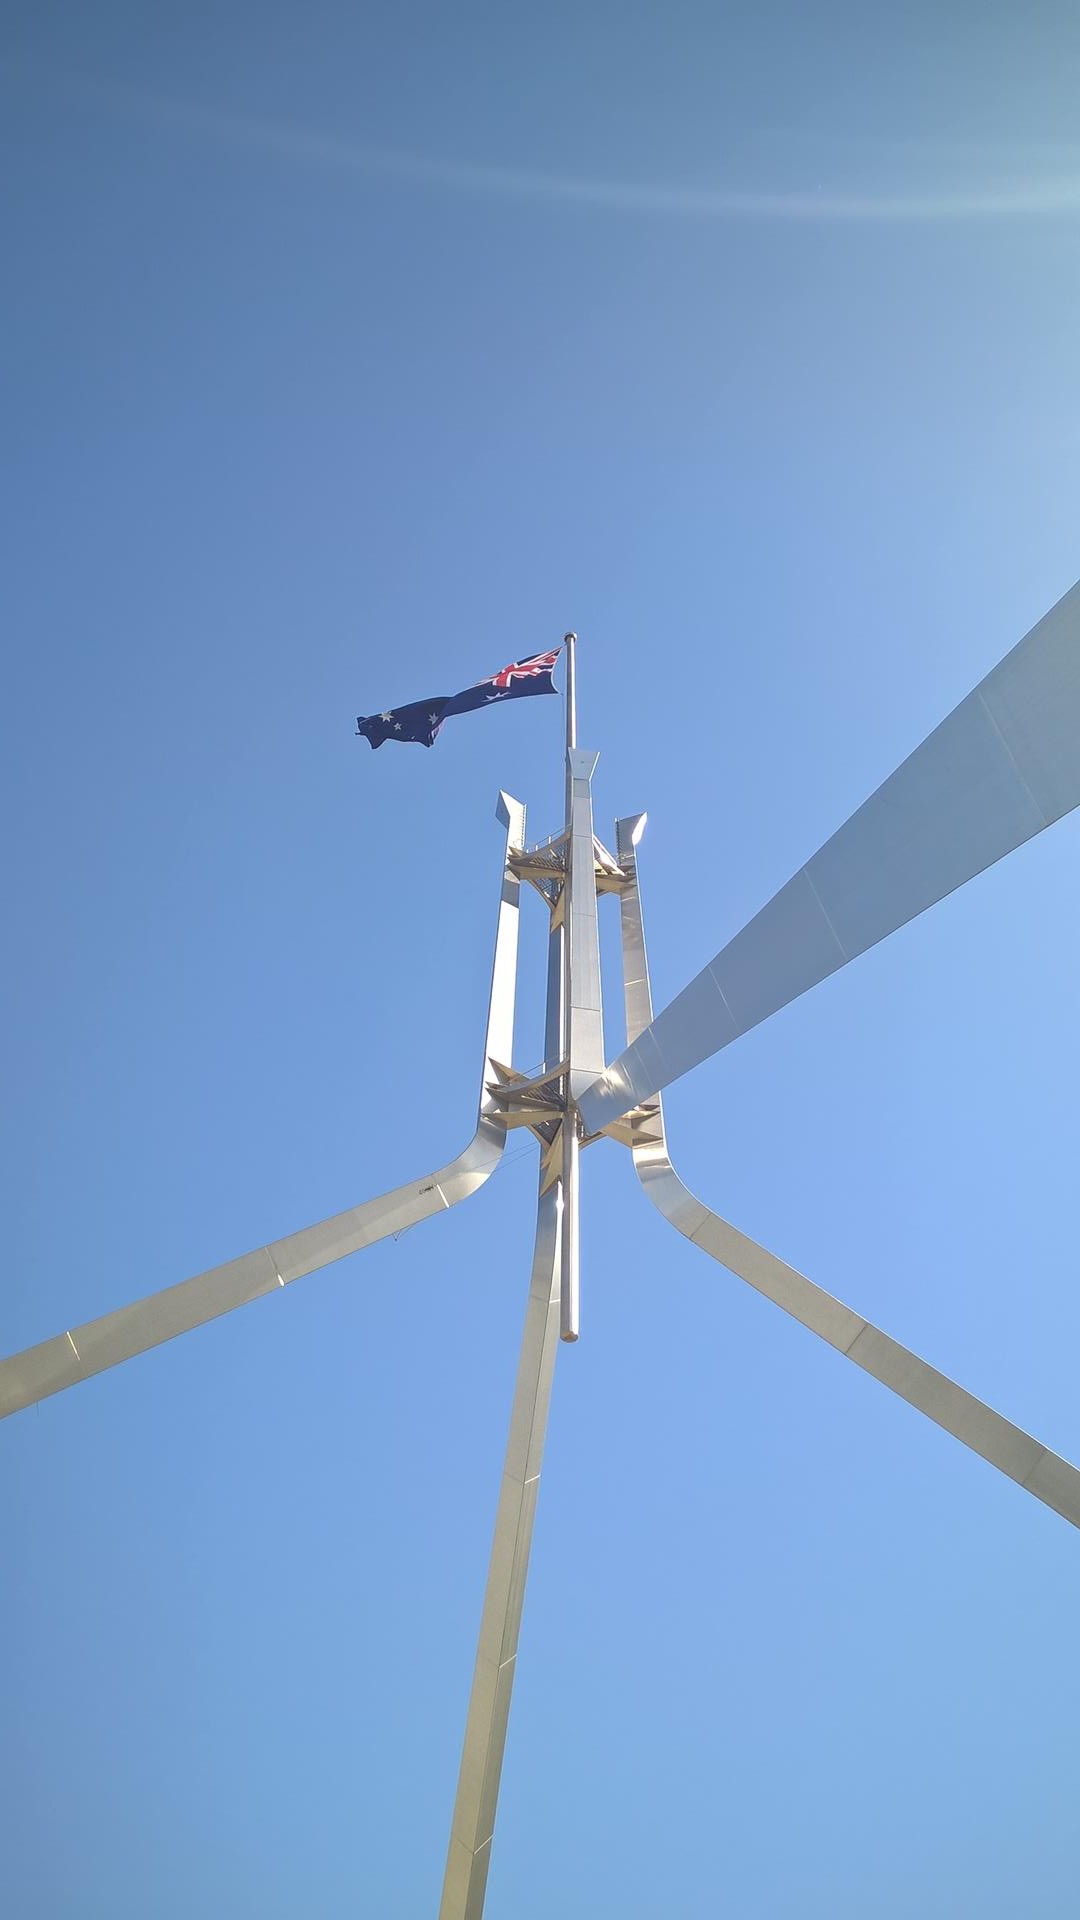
[{"x": 1029, "y": 1462}]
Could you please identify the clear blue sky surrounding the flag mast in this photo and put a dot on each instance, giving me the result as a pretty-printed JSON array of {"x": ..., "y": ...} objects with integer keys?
[{"x": 353, "y": 352}]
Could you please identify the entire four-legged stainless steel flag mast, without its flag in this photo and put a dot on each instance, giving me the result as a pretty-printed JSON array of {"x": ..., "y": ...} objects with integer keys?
[{"x": 998, "y": 771}]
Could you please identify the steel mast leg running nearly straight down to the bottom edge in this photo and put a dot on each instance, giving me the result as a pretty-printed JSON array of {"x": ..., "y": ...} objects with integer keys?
[{"x": 497, "y": 1656}]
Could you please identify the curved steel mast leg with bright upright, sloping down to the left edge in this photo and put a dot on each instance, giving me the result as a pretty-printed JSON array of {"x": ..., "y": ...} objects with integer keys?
[{"x": 105, "y": 1343}]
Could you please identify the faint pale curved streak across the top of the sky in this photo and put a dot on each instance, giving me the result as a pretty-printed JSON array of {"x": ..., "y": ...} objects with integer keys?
[{"x": 1016, "y": 191}]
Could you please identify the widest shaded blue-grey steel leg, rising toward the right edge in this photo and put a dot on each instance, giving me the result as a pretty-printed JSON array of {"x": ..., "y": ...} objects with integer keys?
[{"x": 1000, "y": 769}]
